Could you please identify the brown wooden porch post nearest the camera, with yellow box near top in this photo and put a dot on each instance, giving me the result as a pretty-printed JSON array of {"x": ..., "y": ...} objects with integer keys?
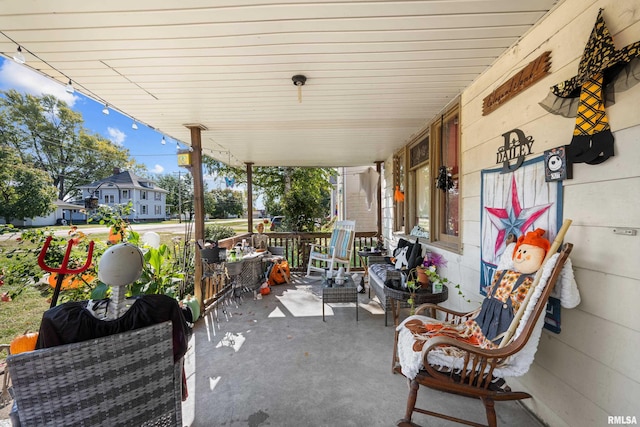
[{"x": 198, "y": 204}]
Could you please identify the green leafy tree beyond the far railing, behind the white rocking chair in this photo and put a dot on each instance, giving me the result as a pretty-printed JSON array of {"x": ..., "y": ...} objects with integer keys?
[{"x": 303, "y": 195}]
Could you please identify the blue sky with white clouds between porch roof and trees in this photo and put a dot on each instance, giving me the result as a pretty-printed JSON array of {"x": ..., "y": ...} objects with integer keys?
[{"x": 144, "y": 144}]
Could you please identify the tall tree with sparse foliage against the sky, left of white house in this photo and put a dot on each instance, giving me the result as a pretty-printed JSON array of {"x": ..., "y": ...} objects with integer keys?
[{"x": 47, "y": 134}]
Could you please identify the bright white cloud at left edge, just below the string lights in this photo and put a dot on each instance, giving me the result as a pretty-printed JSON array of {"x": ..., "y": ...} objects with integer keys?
[{"x": 25, "y": 80}]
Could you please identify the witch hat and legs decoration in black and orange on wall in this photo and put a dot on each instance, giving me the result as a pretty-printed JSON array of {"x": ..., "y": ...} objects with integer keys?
[{"x": 603, "y": 70}]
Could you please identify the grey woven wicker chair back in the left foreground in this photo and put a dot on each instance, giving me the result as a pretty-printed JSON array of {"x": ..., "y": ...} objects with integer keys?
[{"x": 122, "y": 379}]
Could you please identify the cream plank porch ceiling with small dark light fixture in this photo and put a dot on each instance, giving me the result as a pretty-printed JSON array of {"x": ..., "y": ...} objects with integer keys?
[{"x": 377, "y": 71}]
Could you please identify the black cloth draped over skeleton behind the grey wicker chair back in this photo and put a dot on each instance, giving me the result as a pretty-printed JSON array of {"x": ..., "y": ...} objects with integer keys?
[{"x": 71, "y": 322}]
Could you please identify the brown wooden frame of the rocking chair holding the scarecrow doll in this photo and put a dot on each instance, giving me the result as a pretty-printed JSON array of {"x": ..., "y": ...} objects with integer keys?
[{"x": 475, "y": 376}]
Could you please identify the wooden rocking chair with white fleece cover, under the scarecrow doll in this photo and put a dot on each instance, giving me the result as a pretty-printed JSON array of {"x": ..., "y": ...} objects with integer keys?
[{"x": 453, "y": 366}]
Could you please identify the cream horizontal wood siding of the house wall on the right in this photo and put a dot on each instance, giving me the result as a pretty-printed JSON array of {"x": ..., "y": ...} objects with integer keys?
[{"x": 589, "y": 371}]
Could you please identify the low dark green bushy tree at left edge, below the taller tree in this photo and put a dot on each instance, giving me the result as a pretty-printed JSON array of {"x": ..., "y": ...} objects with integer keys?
[{"x": 25, "y": 192}]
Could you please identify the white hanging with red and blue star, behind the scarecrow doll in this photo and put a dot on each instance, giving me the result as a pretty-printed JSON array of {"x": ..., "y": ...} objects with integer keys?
[{"x": 514, "y": 203}]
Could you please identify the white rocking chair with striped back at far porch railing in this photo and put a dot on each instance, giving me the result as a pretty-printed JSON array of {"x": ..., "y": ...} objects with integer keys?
[{"x": 338, "y": 252}]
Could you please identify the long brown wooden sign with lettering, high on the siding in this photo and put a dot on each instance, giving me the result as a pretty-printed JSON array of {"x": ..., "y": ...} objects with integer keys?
[{"x": 534, "y": 71}]
